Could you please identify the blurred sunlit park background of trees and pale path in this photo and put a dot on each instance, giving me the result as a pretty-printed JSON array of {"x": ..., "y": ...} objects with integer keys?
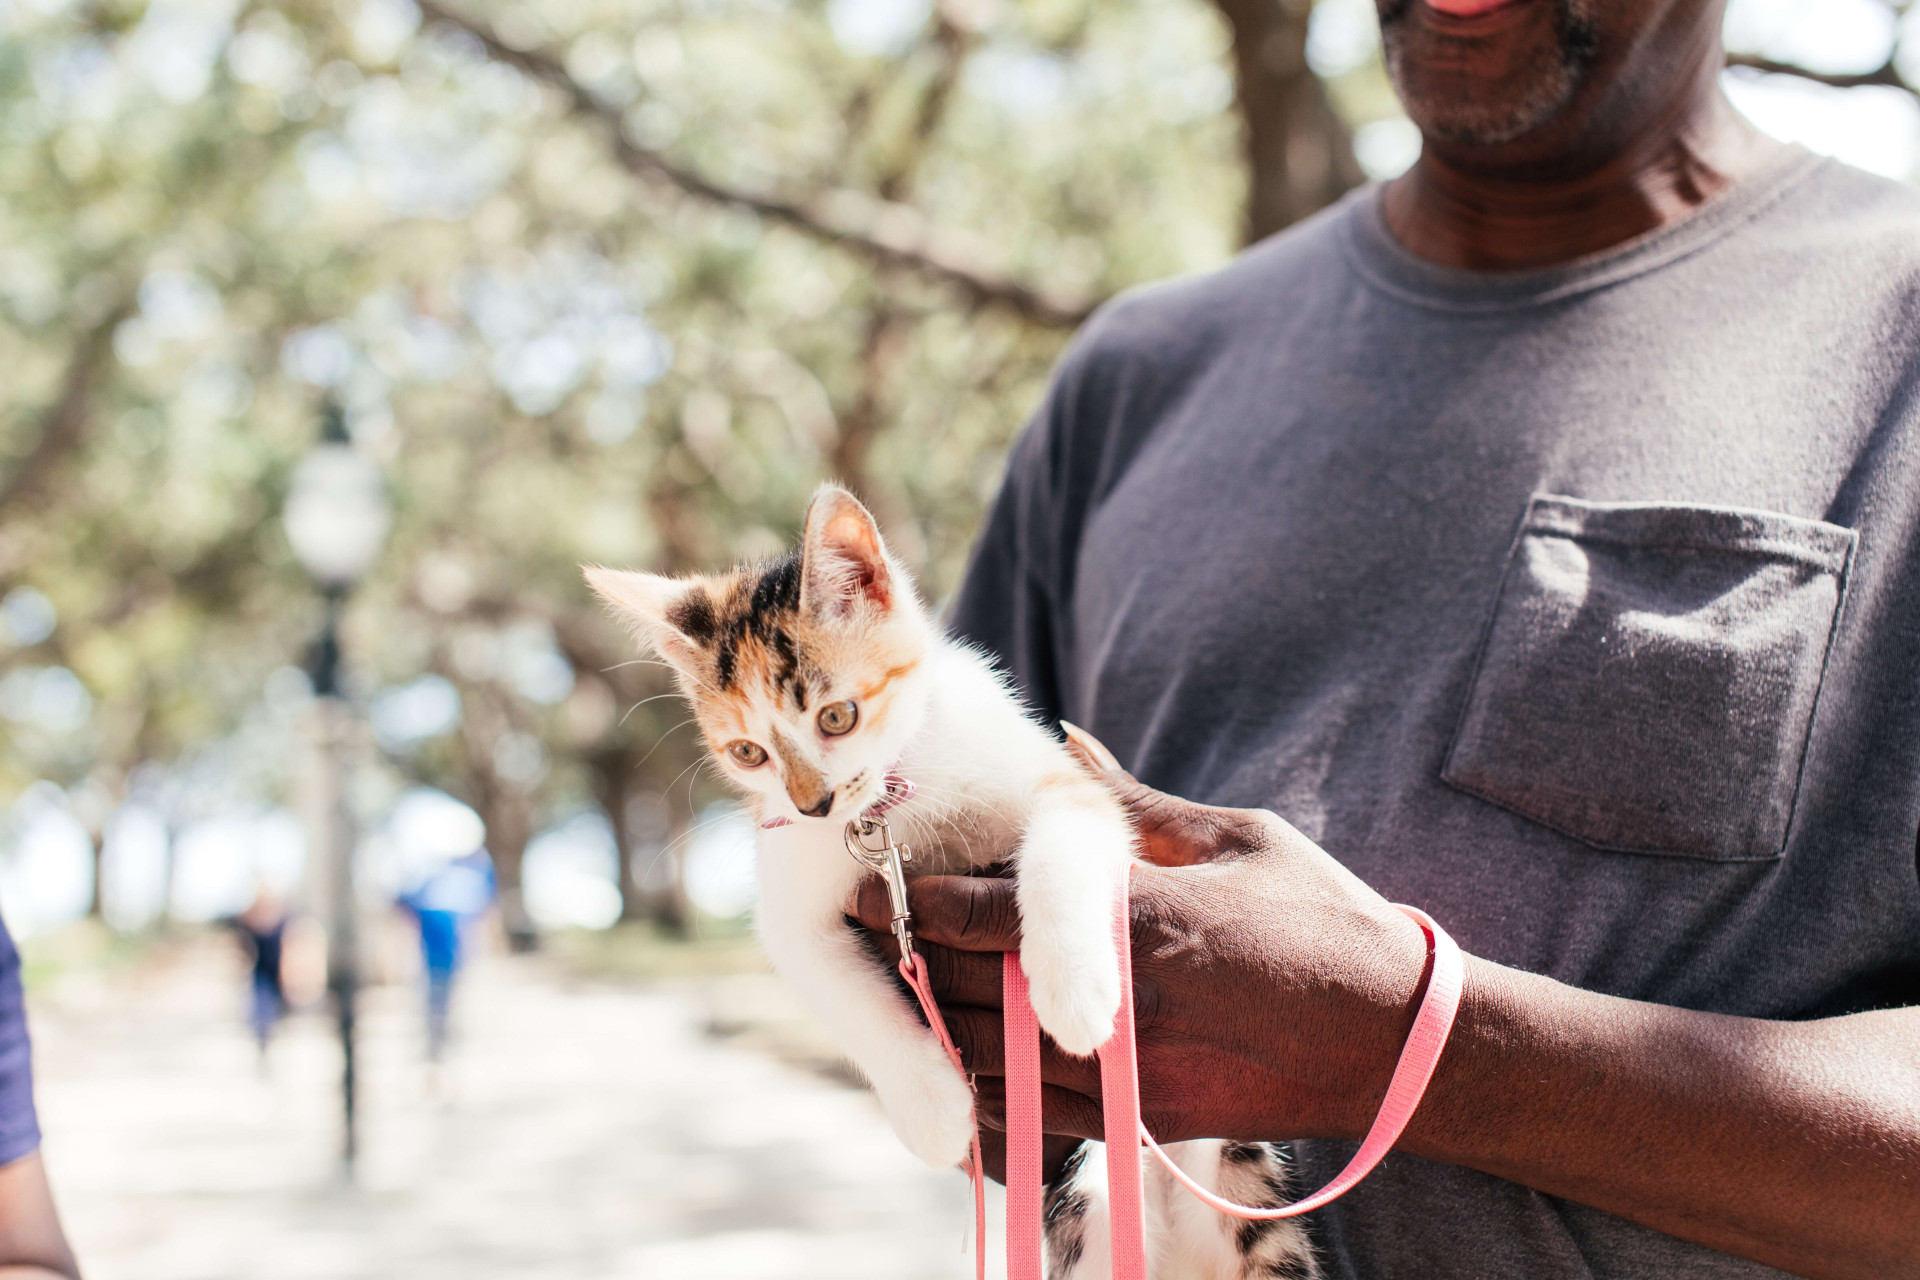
[{"x": 588, "y": 281}]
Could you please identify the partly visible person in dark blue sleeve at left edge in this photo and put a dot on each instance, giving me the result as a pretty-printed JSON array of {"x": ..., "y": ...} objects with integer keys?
[{"x": 32, "y": 1243}]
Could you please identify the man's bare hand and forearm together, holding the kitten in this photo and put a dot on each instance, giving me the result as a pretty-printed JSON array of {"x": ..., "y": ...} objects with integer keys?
[{"x": 1274, "y": 993}]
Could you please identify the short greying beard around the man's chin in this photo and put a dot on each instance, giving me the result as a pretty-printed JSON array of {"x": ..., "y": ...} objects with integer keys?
[{"x": 1529, "y": 105}]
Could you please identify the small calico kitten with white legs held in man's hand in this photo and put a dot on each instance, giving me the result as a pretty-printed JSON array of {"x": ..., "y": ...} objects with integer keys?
[{"x": 819, "y": 676}]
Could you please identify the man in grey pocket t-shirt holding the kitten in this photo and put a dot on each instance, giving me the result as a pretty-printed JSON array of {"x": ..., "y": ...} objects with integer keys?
[{"x": 1541, "y": 536}]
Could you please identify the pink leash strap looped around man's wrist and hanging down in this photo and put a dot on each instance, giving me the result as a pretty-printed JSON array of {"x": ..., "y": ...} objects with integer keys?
[{"x": 1120, "y": 1095}]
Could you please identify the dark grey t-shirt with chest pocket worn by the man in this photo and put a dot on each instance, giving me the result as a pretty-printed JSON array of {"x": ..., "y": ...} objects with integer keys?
[{"x": 1577, "y": 607}]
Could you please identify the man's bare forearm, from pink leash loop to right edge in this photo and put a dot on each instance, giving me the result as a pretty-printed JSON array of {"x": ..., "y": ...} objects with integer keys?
[{"x": 1796, "y": 1145}]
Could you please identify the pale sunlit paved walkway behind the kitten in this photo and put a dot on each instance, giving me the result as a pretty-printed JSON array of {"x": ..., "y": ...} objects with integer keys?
[{"x": 579, "y": 1133}]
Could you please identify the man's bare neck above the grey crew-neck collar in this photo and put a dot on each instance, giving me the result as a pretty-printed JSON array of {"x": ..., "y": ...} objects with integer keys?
[{"x": 1458, "y": 214}]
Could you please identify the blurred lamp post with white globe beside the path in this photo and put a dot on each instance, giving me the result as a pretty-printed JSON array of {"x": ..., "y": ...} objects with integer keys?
[{"x": 337, "y": 519}]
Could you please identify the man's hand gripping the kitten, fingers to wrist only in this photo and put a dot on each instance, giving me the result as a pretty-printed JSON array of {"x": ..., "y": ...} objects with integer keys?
[{"x": 1241, "y": 903}]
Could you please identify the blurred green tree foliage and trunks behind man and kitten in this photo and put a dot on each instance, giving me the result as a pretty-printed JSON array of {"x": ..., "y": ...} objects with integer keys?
[{"x": 596, "y": 283}]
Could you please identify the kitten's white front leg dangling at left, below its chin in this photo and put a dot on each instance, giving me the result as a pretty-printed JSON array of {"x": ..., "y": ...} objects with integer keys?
[{"x": 813, "y": 949}]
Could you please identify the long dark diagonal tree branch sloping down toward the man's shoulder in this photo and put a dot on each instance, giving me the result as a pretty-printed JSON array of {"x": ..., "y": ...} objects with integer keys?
[{"x": 886, "y": 233}]
